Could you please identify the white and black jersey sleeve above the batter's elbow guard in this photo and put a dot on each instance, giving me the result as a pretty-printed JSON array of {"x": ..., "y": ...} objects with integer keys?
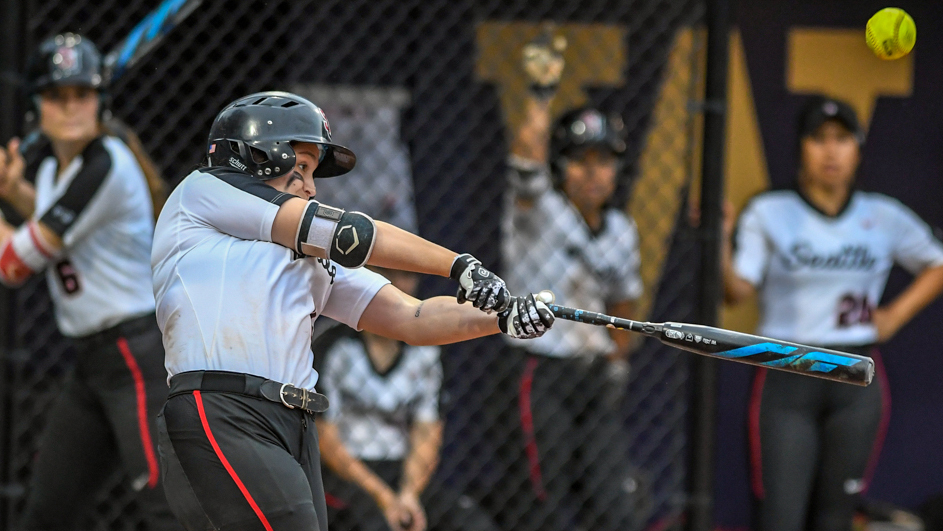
[{"x": 233, "y": 203}]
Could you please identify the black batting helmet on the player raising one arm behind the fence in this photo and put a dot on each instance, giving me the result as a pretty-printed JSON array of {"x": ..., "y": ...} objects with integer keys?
[{"x": 582, "y": 129}]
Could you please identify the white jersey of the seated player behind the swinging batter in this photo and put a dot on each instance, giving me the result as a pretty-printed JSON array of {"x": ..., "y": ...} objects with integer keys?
[{"x": 373, "y": 411}]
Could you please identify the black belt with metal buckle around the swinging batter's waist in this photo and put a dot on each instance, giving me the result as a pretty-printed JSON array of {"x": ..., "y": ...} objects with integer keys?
[{"x": 247, "y": 384}]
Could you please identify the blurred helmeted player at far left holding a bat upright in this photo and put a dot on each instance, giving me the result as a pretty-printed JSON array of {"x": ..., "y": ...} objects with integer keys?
[{"x": 89, "y": 227}]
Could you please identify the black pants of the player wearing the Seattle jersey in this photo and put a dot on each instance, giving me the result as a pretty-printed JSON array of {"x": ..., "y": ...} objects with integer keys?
[{"x": 813, "y": 443}]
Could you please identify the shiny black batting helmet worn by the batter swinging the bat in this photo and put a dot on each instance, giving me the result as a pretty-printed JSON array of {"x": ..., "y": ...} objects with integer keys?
[{"x": 253, "y": 134}]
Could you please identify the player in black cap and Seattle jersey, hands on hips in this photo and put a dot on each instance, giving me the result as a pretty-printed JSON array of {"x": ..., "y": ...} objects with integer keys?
[{"x": 818, "y": 257}]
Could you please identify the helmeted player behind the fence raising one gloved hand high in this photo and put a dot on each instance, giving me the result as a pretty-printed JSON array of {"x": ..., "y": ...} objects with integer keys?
[{"x": 562, "y": 440}]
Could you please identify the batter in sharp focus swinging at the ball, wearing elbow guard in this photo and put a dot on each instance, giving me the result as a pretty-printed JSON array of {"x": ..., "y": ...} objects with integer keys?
[{"x": 244, "y": 261}]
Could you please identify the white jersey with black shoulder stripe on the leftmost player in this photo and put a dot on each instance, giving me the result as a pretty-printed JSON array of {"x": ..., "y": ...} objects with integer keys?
[{"x": 101, "y": 208}]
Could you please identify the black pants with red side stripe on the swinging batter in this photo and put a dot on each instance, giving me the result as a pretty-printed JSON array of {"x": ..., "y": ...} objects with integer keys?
[{"x": 239, "y": 463}]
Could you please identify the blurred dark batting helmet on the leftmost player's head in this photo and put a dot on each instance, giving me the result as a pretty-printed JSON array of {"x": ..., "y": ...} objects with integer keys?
[{"x": 66, "y": 59}]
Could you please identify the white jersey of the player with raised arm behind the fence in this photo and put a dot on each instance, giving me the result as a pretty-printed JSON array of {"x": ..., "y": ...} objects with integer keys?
[{"x": 549, "y": 246}]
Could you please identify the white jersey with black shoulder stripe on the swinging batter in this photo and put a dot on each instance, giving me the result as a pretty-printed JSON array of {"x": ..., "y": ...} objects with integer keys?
[{"x": 227, "y": 298}]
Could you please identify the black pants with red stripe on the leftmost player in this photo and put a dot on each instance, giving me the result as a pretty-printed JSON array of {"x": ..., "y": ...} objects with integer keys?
[{"x": 103, "y": 419}]
